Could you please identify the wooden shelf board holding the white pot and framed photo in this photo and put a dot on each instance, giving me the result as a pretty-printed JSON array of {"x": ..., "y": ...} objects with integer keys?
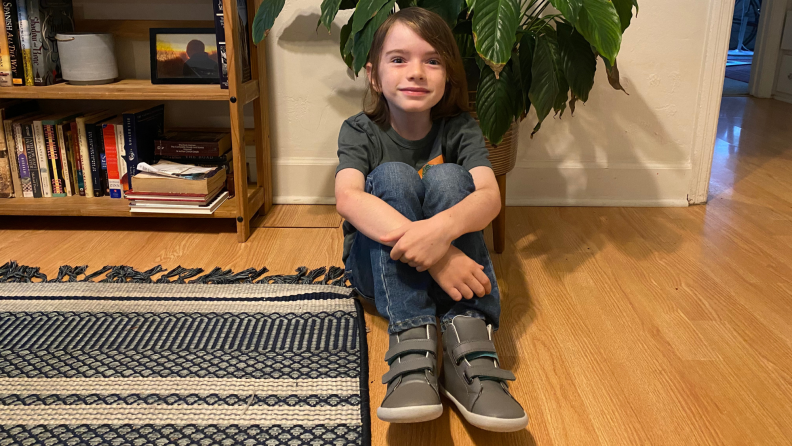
[{"x": 131, "y": 89}]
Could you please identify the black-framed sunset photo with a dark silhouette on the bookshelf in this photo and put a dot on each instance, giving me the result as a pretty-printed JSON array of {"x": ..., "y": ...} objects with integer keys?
[{"x": 184, "y": 56}]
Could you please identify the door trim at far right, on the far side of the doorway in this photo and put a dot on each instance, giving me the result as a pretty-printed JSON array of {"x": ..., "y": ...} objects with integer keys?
[{"x": 768, "y": 43}]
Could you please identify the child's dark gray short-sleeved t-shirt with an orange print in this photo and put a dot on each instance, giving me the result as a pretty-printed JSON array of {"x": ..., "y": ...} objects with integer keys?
[{"x": 363, "y": 145}]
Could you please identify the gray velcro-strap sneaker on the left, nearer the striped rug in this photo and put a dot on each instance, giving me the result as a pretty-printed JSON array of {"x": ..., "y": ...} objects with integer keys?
[{"x": 412, "y": 394}]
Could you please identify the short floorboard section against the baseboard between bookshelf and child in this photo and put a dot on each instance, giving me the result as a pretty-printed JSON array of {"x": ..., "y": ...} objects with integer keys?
[{"x": 299, "y": 216}]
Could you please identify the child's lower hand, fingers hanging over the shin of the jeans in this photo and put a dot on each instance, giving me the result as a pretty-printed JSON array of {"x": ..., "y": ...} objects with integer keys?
[{"x": 459, "y": 276}]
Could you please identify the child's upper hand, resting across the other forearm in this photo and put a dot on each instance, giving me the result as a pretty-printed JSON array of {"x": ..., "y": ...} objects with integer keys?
[{"x": 420, "y": 244}]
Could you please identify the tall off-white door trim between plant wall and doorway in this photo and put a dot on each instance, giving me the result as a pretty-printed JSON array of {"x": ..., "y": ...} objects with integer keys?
[{"x": 716, "y": 48}]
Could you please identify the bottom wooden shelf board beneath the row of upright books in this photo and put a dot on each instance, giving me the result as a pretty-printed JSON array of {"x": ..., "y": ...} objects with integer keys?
[{"x": 76, "y": 206}]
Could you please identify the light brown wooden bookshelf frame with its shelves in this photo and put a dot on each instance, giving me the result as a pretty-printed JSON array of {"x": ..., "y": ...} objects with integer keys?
[{"x": 258, "y": 196}]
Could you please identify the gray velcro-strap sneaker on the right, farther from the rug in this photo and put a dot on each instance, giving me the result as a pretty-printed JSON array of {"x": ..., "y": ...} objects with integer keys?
[{"x": 473, "y": 381}]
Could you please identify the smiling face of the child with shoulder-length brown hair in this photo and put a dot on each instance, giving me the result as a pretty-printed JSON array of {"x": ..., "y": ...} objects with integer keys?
[{"x": 411, "y": 74}]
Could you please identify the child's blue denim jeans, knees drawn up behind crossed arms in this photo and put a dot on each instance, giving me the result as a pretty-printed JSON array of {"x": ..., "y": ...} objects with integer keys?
[{"x": 404, "y": 296}]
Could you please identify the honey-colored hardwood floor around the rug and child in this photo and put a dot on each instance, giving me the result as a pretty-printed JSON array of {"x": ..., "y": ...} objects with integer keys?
[{"x": 624, "y": 326}]
